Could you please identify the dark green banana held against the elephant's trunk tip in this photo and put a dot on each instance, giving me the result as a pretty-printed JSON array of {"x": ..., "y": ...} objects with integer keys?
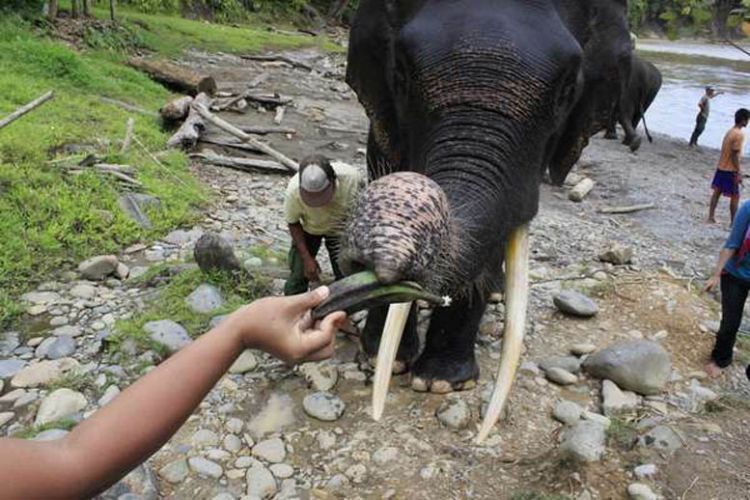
[{"x": 364, "y": 291}]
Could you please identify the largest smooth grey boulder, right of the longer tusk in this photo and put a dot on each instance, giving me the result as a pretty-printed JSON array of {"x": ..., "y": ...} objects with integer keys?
[{"x": 641, "y": 366}]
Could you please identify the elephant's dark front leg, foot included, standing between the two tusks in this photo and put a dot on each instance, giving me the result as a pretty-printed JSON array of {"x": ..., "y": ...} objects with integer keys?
[{"x": 448, "y": 362}]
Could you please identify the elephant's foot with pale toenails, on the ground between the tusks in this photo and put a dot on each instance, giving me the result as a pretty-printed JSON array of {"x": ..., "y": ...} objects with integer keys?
[{"x": 443, "y": 375}]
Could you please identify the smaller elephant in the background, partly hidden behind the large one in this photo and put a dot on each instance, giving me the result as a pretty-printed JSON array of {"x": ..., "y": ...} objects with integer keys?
[{"x": 643, "y": 85}]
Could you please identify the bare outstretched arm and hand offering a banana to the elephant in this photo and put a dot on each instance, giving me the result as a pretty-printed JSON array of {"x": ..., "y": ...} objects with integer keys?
[{"x": 139, "y": 421}]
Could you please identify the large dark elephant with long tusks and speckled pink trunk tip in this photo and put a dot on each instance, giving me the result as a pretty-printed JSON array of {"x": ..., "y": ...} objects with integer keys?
[{"x": 470, "y": 103}]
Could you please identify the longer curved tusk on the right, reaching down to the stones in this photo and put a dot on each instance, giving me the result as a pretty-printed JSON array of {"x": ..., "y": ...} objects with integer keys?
[{"x": 516, "y": 300}]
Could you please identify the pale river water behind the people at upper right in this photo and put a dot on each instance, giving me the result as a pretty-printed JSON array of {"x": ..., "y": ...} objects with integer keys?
[{"x": 687, "y": 68}]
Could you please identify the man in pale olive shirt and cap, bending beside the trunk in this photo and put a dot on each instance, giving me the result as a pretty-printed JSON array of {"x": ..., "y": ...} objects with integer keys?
[{"x": 318, "y": 201}]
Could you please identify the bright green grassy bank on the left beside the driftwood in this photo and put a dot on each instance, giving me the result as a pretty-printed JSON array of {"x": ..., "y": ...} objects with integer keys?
[{"x": 50, "y": 219}]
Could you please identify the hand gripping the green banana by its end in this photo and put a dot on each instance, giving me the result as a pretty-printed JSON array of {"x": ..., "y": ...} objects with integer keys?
[{"x": 283, "y": 327}]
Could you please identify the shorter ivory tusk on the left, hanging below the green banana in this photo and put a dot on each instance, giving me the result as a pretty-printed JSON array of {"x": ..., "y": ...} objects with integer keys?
[{"x": 389, "y": 341}]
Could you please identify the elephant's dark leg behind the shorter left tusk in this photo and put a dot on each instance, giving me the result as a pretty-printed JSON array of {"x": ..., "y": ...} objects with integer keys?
[{"x": 409, "y": 346}]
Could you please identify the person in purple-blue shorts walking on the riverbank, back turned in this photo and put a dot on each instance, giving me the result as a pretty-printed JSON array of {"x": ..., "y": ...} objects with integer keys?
[{"x": 728, "y": 176}]
